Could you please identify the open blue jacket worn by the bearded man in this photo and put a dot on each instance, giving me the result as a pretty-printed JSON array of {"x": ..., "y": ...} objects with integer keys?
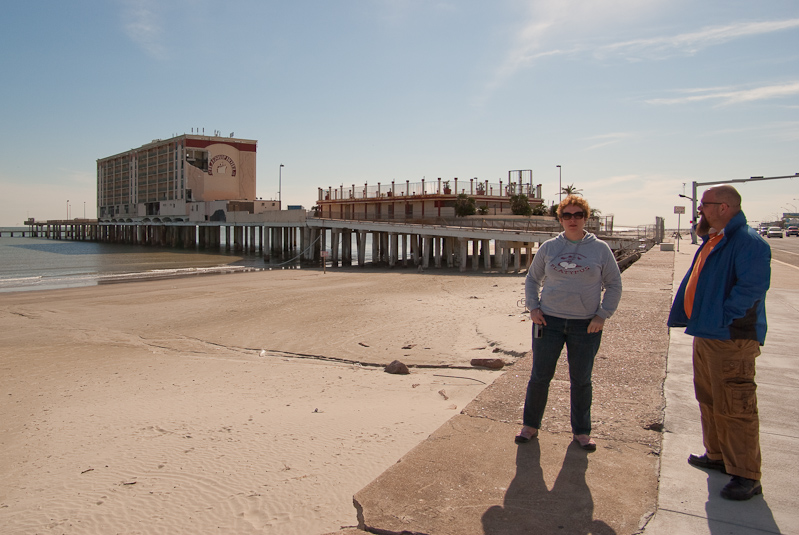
[{"x": 730, "y": 299}]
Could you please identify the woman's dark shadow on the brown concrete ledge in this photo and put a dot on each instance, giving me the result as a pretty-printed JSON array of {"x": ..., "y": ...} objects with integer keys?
[{"x": 529, "y": 507}]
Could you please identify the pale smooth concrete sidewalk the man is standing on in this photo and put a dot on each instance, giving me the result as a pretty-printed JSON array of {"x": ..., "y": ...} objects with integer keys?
[{"x": 688, "y": 498}]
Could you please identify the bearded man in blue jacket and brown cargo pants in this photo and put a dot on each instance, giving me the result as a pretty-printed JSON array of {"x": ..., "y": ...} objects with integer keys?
[{"x": 721, "y": 302}]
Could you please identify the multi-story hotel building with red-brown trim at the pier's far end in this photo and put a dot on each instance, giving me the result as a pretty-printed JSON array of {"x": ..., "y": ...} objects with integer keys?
[{"x": 188, "y": 177}]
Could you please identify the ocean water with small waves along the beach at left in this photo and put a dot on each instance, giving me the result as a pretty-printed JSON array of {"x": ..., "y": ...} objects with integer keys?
[{"x": 40, "y": 263}]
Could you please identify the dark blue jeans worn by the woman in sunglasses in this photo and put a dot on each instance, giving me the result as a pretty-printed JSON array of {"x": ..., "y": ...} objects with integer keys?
[{"x": 581, "y": 348}]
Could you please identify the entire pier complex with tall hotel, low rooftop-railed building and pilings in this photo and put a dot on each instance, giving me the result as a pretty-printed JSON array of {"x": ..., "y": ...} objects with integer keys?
[{"x": 194, "y": 191}]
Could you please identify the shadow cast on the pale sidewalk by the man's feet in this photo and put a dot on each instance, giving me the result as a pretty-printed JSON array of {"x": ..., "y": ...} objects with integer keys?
[{"x": 722, "y": 514}]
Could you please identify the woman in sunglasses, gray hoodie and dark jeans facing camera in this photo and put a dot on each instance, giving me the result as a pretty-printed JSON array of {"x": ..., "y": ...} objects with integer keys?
[{"x": 563, "y": 291}]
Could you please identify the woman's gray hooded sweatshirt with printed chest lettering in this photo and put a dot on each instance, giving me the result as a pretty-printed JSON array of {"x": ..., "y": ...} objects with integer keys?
[{"x": 566, "y": 279}]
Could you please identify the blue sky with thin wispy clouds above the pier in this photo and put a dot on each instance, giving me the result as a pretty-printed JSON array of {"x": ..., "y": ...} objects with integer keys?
[{"x": 634, "y": 99}]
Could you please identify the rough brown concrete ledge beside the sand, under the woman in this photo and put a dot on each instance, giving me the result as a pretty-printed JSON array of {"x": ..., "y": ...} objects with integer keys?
[{"x": 470, "y": 478}]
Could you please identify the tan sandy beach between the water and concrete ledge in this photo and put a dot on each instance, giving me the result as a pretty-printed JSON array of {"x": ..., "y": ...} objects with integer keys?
[{"x": 241, "y": 403}]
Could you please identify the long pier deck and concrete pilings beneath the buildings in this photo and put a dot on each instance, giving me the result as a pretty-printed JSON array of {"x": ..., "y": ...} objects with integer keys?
[{"x": 493, "y": 245}]
